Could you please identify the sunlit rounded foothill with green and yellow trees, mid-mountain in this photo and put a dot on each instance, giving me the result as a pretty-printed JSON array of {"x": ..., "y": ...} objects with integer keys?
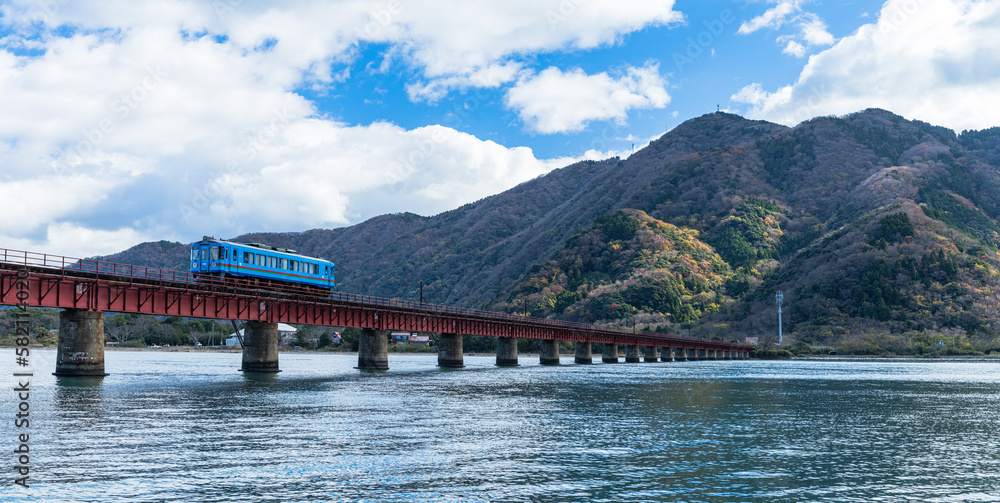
[{"x": 627, "y": 263}]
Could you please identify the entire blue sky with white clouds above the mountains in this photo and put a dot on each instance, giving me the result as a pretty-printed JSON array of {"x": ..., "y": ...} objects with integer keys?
[{"x": 124, "y": 121}]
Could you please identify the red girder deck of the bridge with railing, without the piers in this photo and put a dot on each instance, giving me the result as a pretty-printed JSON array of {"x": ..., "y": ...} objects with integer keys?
[{"x": 70, "y": 283}]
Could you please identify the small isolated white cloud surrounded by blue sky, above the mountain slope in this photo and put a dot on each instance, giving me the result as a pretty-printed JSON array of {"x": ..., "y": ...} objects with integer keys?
[{"x": 557, "y": 102}]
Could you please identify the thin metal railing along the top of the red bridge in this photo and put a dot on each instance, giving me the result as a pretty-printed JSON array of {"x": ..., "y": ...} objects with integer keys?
[{"x": 113, "y": 271}]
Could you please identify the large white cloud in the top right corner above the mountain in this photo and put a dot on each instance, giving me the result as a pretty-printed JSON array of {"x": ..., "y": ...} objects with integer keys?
[{"x": 937, "y": 61}]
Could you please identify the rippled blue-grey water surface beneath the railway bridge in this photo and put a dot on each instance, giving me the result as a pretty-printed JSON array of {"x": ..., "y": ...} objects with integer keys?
[{"x": 168, "y": 426}]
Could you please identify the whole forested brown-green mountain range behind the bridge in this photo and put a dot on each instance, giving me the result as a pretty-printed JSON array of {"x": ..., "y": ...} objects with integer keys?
[{"x": 881, "y": 232}]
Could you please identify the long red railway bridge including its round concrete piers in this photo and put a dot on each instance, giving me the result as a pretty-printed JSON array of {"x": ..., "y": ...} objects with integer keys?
[{"x": 84, "y": 289}]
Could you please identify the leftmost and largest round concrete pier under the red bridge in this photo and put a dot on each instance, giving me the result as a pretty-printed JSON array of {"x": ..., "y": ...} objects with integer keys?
[{"x": 81, "y": 344}]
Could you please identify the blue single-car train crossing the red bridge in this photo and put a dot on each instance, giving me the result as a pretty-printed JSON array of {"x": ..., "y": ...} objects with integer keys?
[{"x": 255, "y": 260}]
